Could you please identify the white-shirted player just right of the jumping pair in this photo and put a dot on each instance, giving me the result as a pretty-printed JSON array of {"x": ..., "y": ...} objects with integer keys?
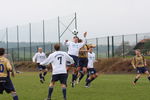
[{"x": 92, "y": 74}]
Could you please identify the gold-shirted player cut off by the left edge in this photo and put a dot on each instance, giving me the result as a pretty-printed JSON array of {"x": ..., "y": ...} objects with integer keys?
[{"x": 5, "y": 81}]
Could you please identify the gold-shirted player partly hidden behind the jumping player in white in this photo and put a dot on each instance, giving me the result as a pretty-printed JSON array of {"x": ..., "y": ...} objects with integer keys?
[{"x": 83, "y": 61}]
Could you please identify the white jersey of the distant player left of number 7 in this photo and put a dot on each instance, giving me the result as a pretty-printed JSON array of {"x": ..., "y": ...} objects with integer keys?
[{"x": 39, "y": 57}]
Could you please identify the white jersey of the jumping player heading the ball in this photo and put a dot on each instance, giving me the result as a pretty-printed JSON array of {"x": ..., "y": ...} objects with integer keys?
[{"x": 73, "y": 48}]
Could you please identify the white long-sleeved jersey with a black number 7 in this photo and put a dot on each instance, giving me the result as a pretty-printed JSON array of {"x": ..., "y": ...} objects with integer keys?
[{"x": 58, "y": 60}]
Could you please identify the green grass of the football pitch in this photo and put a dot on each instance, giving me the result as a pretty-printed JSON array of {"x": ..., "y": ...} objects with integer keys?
[{"x": 105, "y": 87}]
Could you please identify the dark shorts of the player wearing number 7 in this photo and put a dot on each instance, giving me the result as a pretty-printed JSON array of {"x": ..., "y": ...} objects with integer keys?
[{"x": 60, "y": 77}]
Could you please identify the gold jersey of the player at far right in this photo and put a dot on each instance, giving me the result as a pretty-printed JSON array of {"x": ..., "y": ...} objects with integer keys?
[{"x": 138, "y": 61}]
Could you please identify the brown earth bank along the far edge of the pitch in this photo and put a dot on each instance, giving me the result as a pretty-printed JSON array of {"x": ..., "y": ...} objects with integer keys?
[{"x": 111, "y": 66}]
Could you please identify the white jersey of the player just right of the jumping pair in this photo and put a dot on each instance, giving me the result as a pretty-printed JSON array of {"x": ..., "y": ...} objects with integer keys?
[{"x": 91, "y": 60}]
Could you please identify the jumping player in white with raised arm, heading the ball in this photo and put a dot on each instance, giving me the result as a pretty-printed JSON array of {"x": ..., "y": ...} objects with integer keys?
[{"x": 73, "y": 51}]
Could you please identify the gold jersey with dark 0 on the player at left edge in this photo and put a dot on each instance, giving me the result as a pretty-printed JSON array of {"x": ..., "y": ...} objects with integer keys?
[{"x": 5, "y": 66}]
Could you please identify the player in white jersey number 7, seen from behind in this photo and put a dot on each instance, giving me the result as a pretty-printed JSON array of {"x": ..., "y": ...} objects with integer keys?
[{"x": 58, "y": 60}]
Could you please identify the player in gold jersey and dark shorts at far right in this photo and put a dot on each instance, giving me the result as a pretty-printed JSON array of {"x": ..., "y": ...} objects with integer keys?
[{"x": 139, "y": 63}]
